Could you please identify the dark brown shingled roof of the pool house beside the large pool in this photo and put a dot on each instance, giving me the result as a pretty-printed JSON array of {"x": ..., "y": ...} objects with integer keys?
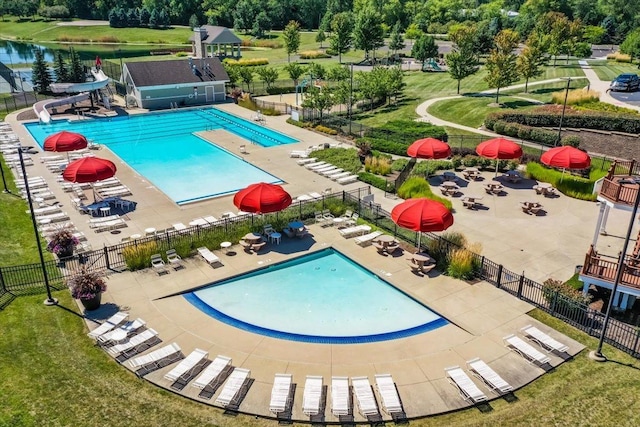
[{"x": 174, "y": 72}]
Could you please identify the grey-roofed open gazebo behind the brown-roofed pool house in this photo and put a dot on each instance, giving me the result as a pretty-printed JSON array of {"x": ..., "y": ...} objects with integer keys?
[{"x": 210, "y": 41}]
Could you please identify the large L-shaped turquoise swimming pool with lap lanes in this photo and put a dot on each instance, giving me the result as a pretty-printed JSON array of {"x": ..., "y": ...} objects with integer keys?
[{"x": 162, "y": 148}]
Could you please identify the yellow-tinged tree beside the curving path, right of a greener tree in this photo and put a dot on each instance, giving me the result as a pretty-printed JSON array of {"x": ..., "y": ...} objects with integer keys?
[{"x": 501, "y": 63}]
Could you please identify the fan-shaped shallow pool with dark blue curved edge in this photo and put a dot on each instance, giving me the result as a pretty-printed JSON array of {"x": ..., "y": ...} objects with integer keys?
[{"x": 322, "y": 297}]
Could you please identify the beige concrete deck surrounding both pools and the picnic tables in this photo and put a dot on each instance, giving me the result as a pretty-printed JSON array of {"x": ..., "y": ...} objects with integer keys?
[{"x": 544, "y": 246}]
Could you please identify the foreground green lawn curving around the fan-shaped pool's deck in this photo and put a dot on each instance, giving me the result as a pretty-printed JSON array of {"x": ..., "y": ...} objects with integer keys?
[{"x": 53, "y": 375}]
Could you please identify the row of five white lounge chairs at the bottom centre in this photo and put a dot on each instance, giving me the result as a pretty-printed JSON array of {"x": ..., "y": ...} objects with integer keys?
[{"x": 312, "y": 397}]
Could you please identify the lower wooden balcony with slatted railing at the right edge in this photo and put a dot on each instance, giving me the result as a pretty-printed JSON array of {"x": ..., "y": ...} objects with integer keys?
[{"x": 604, "y": 268}]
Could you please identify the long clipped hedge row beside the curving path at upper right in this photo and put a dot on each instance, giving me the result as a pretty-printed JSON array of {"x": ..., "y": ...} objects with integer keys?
[{"x": 629, "y": 123}]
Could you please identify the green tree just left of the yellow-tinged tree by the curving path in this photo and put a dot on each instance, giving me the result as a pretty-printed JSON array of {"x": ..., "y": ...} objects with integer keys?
[{"x": 462, "y": 61}]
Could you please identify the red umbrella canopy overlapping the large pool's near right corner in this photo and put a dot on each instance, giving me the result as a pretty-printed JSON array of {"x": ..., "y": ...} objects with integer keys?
[{"x": 262, "y": 198}]
